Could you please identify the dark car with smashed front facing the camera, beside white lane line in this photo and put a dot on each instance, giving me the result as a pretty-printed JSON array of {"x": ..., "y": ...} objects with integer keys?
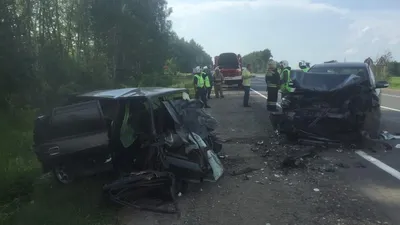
[{"x": 331, "y": 102}]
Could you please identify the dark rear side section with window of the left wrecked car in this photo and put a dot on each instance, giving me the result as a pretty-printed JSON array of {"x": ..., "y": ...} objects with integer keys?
[{"x": 72, "y": 133}]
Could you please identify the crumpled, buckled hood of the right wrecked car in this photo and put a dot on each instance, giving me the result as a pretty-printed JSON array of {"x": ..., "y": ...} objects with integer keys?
[{"x": 325, "y": 82}]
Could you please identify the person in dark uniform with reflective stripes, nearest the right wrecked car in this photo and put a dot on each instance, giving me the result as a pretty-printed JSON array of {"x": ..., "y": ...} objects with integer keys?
[{"x": 272, "y": 78}]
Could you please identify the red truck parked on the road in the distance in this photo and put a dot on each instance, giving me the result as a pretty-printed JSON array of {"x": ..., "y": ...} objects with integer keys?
[{"x": 230, "y": 65}]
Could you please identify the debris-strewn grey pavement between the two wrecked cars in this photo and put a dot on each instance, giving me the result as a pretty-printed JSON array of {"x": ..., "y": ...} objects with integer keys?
[{"x": 313, "y": 194}]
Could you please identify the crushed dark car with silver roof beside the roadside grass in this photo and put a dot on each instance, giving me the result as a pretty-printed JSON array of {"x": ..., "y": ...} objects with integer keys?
[{"x": 129, "y": 130}]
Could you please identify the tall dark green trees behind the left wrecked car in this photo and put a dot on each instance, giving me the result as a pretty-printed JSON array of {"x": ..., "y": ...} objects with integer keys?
[{"x": 51, "y": 49}]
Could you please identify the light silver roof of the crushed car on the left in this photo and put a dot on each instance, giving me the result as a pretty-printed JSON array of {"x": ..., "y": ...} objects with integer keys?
[{"x": 146, "y": 92}]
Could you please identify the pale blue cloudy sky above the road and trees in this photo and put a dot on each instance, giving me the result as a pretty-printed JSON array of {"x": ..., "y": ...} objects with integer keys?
[{"x": 313, "y": 30}]
